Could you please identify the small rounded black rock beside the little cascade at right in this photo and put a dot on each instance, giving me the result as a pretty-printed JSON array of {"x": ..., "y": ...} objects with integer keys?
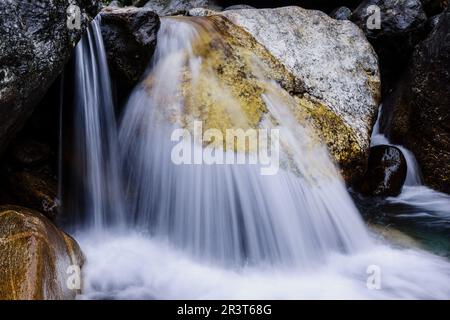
[{"x": 386, "y": 172}]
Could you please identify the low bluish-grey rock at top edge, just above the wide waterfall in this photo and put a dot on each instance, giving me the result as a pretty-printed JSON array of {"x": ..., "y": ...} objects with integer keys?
[{"x": 174, "y": 7}]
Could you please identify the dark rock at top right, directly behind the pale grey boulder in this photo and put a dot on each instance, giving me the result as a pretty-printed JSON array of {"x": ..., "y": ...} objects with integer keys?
[{"x": 402, "y": 27}]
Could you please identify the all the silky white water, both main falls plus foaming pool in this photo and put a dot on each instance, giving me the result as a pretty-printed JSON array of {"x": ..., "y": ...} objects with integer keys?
[{"x": 224, "y": 231}]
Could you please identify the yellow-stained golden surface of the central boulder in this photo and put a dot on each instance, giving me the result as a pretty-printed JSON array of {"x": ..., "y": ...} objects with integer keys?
[{"x": 235, "y": 72}]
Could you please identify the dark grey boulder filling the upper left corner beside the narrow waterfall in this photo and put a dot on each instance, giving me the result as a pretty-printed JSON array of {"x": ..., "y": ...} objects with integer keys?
[{"x": 35, "y": 43}]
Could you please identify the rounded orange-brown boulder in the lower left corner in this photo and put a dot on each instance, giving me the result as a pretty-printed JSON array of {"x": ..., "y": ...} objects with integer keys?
[{"x": 37, "y": 260}]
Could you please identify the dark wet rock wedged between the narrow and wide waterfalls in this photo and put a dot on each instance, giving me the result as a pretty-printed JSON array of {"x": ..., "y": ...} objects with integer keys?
[{"x": 129, "y": 36}]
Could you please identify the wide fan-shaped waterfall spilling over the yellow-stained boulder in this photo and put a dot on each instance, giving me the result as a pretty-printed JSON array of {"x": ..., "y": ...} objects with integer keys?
[{"x": 231, "y": 213}]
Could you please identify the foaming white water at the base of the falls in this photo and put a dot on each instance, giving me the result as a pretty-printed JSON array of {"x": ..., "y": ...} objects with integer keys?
[{"x": 134, "y": 266}]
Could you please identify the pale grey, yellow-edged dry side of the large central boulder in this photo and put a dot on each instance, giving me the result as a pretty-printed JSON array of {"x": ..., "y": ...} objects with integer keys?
[{"x": 327, "y": 64}]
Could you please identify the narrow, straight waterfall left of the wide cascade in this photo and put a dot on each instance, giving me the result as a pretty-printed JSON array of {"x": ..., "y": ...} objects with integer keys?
[{"x": 97, "y": 200}]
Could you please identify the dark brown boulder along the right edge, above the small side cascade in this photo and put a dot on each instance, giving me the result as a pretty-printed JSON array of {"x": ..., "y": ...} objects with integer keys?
[{"x": 420, "y": 107}]
